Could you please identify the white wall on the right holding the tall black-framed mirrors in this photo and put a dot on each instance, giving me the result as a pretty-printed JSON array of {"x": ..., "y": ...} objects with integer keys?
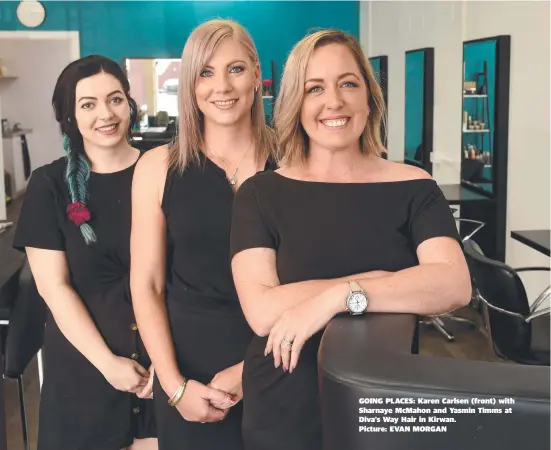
[{"x": 391, "y": 28}]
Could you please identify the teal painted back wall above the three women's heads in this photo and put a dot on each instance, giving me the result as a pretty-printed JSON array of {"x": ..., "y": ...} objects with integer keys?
[{"x": 120, "y": 29}]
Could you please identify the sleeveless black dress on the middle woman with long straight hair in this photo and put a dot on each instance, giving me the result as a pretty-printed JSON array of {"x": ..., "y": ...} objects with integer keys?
[{"x": 208, "y": 327}]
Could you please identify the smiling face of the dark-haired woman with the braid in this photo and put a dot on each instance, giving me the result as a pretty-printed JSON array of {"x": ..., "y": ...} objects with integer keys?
[{"x": 102, "y": 111}]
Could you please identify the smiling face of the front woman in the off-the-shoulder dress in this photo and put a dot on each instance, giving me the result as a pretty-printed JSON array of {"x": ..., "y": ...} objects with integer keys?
[{"x": 335, "y": 107}]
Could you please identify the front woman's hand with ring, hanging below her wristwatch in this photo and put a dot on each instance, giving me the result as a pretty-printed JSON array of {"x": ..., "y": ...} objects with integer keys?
[{"x": 295, "y": 327}]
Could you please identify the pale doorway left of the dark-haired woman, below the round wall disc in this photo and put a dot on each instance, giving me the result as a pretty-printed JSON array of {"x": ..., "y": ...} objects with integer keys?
[{"x": 33, "y": 60}]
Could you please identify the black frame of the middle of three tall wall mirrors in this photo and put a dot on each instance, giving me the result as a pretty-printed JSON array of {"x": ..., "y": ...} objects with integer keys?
[{"x": 427, "y": 133}]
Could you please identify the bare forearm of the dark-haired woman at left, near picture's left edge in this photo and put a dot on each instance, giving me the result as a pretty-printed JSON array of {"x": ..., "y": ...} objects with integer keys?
[{"x": 76, "y": 324}]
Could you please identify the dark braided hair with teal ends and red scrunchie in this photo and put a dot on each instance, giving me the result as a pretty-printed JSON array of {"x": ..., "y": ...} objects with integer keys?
[{"x": 77, "y": 171}]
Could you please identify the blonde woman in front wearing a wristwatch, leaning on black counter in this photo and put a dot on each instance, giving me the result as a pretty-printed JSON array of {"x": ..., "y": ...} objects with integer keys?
[{"x": 337, "y": 229}]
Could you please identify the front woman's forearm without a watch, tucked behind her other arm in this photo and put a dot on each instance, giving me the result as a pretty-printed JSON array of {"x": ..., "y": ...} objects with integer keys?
[{"x": 274, "y": 301}]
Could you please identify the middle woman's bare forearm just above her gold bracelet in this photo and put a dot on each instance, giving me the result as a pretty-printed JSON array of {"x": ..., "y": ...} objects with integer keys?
[{"x": 153, "y": 325}]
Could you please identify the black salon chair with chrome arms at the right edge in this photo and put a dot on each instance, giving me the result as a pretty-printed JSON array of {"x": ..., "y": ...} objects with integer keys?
[{"x": 519, "y": 332}]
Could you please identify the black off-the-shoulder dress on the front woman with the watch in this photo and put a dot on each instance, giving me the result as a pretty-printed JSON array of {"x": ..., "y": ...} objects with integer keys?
[{"x": 321, "y": 231}]
